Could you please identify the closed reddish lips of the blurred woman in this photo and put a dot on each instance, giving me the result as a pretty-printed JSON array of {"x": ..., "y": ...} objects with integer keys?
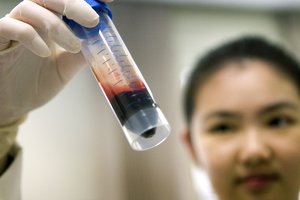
[{"x": 258, "y": 181}]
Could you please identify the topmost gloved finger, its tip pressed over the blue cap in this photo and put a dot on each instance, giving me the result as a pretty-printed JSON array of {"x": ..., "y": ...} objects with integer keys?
[{"x": 77, "y": 10}]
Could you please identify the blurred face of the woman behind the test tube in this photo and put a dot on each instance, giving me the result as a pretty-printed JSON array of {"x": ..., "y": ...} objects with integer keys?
[{"x": 245, "y": 132}]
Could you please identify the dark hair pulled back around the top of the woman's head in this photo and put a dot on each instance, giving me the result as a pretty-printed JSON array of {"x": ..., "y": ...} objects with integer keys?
[{"x": 243, "y": 48}]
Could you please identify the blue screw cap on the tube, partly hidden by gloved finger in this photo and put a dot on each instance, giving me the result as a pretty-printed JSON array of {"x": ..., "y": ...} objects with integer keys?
[{"x": 84, "y": 32}]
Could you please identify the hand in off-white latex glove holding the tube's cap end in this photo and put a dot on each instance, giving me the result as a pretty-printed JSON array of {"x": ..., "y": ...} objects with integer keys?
[{"x": 38, "y": 56}]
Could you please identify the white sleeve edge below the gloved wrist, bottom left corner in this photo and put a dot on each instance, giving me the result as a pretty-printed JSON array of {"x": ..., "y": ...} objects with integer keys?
[{"x": 10, "y": 181}]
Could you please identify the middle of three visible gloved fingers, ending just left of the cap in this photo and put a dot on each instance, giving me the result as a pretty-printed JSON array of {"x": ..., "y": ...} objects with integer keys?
[{"x": 48, "y": 23}]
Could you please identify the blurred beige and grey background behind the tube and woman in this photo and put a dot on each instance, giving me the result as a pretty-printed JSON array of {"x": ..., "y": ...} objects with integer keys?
[{"x": 74, "y": 147}]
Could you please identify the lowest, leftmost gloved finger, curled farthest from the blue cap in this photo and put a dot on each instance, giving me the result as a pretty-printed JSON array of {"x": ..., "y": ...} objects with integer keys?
[{"x": 12, "y": 29}]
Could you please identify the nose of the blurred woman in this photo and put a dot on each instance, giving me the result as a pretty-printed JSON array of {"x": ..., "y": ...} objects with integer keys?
[{"x": 254, "y": 149}]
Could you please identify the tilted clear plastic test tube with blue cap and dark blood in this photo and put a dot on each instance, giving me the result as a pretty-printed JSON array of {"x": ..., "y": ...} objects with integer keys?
[{"x": 121, "y": 81}]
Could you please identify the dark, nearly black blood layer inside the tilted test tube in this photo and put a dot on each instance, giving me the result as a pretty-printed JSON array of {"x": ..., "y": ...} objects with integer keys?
[{"x": 126, "y": 104}]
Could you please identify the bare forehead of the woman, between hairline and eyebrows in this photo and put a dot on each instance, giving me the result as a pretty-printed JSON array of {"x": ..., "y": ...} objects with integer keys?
[{"x": 248, "y": 84}]
